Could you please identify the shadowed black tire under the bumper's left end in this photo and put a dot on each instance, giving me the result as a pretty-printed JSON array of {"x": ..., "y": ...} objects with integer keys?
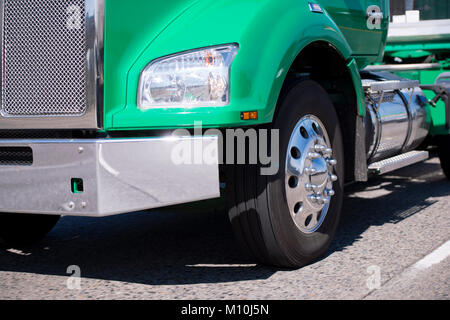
[{"x": 25, "y": 229}]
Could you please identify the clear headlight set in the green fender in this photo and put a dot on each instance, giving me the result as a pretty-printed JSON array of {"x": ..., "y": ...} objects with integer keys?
[{"x": 191, "y": 79}]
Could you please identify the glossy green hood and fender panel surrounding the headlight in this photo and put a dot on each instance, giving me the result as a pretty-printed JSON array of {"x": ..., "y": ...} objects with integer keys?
[{"x": 270, "y": 33}]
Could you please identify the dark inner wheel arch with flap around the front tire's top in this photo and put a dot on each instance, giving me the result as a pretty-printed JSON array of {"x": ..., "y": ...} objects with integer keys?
[{"x": 323, "y": 62}]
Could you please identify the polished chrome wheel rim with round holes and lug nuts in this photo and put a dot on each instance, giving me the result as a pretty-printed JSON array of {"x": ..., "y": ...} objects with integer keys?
[{"x": 309, "y": 174}]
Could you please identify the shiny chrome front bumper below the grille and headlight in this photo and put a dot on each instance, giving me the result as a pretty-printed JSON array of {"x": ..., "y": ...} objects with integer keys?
[{"x": 118, "y": 176}]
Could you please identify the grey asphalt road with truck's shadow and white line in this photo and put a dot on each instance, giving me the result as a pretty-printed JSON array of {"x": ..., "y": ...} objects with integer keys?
[{"x": 392, "y": 243}]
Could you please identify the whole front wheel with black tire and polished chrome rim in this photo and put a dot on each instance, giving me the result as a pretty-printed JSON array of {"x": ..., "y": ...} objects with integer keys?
[{"x": 289, "y": 219}]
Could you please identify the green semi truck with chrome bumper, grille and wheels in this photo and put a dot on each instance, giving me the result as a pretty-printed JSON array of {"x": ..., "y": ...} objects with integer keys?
[{"x": 113, "y": 106}]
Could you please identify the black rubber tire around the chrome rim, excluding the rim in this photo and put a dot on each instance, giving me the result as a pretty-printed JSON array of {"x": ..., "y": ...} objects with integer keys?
[{"x": 258, "y": 208}]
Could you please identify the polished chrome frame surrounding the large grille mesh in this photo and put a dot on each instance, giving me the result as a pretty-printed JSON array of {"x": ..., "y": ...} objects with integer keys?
[{"x": 93, "y": 117}]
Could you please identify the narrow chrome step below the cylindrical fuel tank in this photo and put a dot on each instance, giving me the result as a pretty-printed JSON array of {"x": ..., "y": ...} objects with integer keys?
[{"x": 398, "y": 162}]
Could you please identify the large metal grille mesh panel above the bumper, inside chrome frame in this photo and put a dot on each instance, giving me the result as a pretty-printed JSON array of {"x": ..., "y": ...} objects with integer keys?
[{"x": 44, "y": 58}]
